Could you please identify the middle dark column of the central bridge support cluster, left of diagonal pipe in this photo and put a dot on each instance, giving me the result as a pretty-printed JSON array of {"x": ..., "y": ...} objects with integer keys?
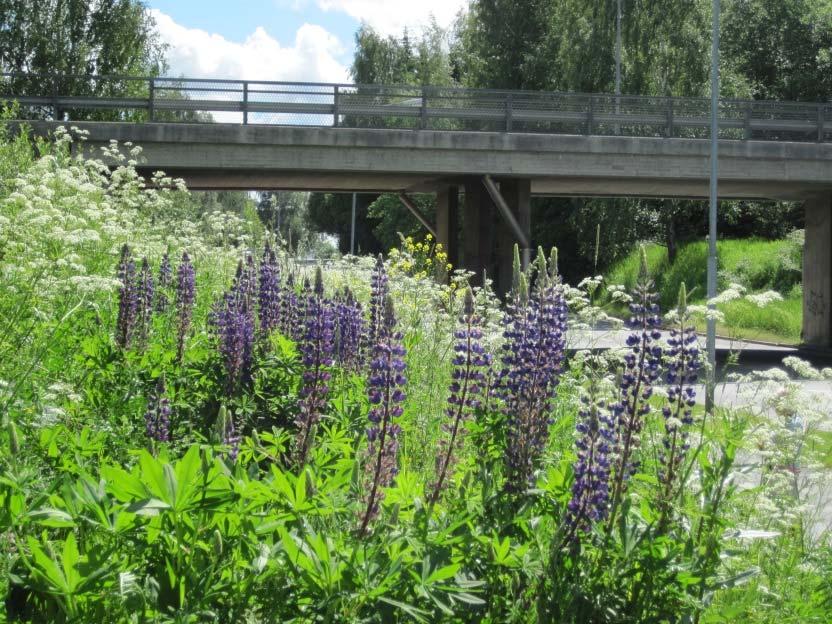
[{"x": 478, "y": 222}]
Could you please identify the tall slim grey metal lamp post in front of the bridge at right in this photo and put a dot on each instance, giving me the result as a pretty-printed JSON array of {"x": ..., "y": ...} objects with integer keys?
[{"x": 711, "y": 337}]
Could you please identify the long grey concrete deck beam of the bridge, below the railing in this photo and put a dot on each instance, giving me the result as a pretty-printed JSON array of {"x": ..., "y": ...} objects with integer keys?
[{"x": 556, "y": 164}]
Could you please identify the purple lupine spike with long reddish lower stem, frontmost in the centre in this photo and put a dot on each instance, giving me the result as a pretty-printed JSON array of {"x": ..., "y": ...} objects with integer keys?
[{"x": 385, "y": 390}]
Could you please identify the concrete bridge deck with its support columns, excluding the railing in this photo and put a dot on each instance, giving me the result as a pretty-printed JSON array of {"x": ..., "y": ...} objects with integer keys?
[{"x": 497, "y": 173}]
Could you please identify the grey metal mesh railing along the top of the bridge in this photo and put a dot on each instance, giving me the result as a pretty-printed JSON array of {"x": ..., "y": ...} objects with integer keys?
[{"x": 407, "y": 107}]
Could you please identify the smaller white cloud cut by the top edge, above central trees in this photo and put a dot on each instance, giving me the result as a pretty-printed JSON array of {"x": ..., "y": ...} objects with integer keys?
[{"x": 392, "y": 16}]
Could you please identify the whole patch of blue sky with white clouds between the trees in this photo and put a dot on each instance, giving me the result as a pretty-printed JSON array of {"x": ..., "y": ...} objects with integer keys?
[{"x": 296, "y": 40}]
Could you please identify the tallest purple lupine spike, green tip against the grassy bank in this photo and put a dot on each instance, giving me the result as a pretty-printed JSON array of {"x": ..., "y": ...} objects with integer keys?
[{"x": 641, "y": 370}]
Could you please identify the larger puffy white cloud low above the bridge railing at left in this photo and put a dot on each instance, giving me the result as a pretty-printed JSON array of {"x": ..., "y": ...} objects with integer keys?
[{"x": 195, "y": 53}]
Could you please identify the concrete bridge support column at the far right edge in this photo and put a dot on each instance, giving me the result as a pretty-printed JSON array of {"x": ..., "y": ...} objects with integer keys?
[{"x": 817, "y": 273}]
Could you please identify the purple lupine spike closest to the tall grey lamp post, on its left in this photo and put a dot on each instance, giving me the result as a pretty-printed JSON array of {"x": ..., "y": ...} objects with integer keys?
[{"x": 682, "y": 373}]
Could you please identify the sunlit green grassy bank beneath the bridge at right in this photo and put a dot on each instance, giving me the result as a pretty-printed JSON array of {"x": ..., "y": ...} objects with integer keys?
[{"x": 756, "y": 264}]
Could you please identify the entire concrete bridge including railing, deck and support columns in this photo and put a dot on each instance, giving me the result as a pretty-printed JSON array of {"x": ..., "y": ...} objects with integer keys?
[{"x": 498, "y": 147}]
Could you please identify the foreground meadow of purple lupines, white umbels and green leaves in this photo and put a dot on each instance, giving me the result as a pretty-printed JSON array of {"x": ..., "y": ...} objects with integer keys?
[{"x": 197, "y": 428}]
